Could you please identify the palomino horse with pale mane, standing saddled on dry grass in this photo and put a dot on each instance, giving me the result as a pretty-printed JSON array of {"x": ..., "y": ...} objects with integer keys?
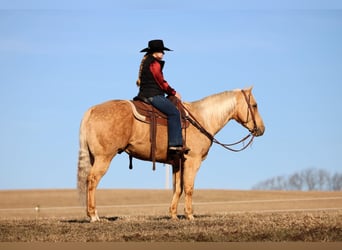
[{"x": 110, "y": 128}]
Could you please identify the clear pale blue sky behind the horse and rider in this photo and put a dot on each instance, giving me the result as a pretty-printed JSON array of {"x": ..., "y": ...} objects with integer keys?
[{"x": 58, "y": 59}]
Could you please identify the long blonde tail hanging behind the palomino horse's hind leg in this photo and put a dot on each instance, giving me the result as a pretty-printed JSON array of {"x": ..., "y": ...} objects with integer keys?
[{"x": 84, "y": 161}]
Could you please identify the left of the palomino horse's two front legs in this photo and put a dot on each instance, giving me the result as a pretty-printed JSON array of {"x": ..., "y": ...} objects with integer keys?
[{"x": 177, "y": 189}]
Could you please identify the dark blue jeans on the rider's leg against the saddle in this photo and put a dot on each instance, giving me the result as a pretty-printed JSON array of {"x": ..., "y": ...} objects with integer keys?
[{"x": 174, "y": 123}]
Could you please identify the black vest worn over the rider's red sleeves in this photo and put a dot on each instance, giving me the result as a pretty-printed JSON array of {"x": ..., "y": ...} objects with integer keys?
[{"x": 148, "y": 85}]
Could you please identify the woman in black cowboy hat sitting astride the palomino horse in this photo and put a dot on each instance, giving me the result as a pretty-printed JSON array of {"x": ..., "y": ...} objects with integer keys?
[{"x": 153, "y": 86}]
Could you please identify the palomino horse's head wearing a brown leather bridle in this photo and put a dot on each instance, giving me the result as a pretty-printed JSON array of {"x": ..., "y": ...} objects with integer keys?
[{"x": 247, "y": 113}]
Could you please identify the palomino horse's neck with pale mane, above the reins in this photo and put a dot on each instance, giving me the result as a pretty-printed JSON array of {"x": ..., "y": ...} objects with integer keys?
[{"x": 215, "y": 111}]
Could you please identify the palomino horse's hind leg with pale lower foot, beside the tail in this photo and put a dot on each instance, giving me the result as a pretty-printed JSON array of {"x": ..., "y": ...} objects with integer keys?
[{"x": 99, "y": 168}]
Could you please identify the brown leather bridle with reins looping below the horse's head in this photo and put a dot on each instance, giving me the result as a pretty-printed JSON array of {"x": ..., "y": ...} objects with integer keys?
[{"x": 197, "y": 125}]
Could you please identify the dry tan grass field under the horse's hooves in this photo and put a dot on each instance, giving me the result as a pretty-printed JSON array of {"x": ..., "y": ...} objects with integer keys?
[{"x": 142, "y": 215}]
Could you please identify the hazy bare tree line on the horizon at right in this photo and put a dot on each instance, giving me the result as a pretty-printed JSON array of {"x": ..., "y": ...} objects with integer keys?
[{"x": 306, "y": 180}]
